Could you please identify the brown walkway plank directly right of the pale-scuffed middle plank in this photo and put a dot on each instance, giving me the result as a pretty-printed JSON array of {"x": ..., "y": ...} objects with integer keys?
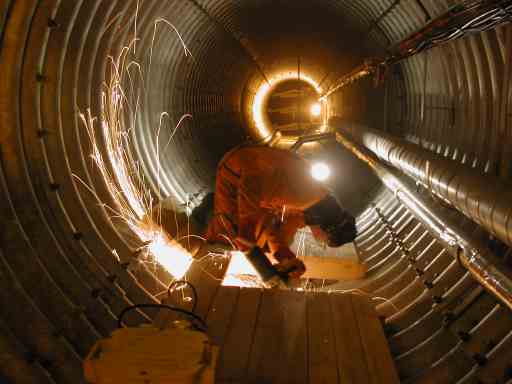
[{"x": 321, "y": 342}]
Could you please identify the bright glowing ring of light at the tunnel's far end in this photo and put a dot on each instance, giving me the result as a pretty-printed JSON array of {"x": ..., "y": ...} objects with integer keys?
[{"x": 258, "y": 115}]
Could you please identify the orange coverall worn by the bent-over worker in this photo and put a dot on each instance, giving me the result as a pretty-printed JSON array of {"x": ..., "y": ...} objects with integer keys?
[{"x": 260, "y": 196}]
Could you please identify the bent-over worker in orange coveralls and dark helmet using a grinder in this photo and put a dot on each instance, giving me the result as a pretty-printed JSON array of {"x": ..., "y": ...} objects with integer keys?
[{"x": 263, "y": 195}]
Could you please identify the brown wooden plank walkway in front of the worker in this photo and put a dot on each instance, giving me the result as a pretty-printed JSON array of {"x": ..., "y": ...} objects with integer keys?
[{"x": 279, "y": 336}]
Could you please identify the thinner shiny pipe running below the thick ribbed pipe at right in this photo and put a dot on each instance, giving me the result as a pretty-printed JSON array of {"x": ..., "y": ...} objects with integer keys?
[{"x": 470, "y": 253}]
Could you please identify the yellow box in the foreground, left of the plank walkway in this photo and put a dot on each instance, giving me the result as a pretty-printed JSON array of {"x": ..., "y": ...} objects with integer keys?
[{"x": 150, "y": 355}]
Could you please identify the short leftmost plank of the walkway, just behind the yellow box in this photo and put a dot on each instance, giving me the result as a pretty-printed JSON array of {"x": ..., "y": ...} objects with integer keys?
[{"x": 219, "y": 316}]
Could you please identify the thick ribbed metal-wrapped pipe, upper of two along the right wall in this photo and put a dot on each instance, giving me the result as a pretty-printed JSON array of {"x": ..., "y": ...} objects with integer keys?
[{"x": 483, "y": 198}]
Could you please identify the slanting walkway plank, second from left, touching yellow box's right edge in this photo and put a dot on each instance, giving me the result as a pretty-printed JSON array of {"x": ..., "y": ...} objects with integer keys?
[{"x": 234, "y": 357}]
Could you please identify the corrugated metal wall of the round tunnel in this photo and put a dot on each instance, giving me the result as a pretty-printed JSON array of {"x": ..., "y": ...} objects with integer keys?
[{"x": 66, "y": 269}]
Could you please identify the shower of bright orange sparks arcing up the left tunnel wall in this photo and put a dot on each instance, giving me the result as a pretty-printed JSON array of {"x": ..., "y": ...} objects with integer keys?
[{"x": 121, "y": 173}]
